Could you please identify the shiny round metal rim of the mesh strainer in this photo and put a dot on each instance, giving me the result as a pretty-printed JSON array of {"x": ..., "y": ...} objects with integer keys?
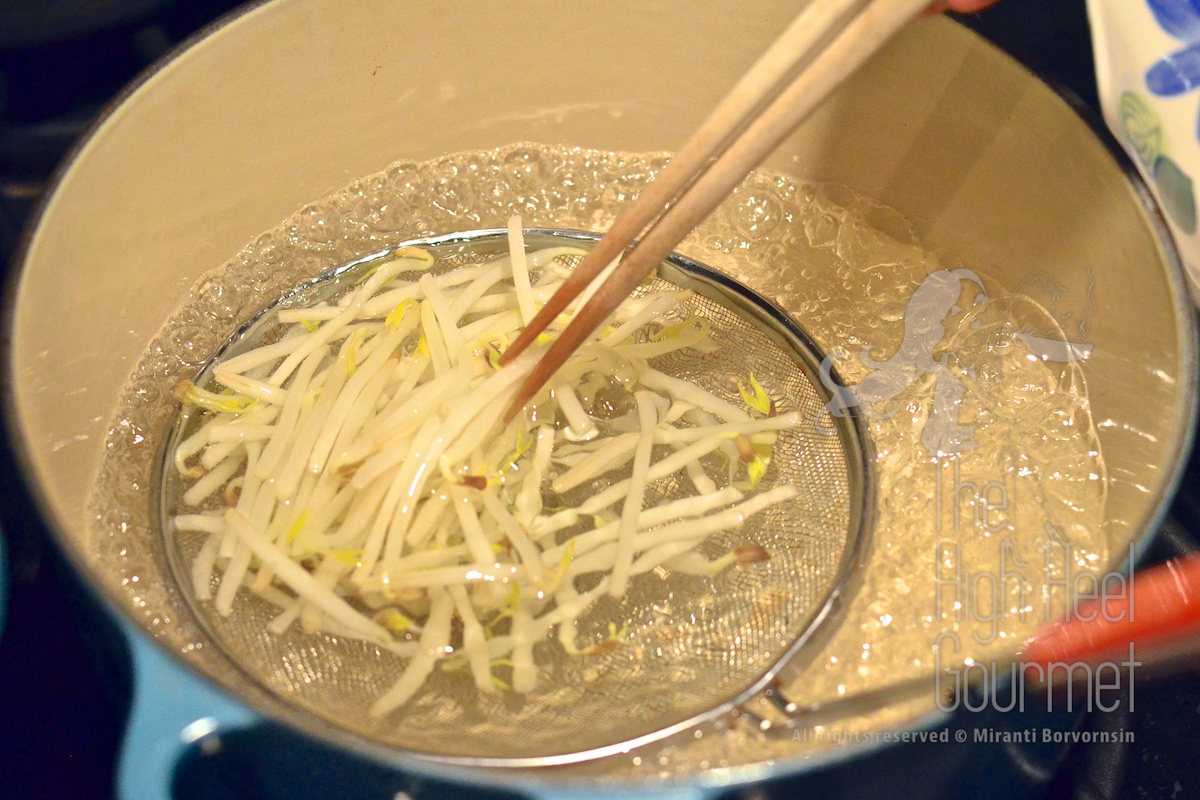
[{"x": 677, "y": 269}]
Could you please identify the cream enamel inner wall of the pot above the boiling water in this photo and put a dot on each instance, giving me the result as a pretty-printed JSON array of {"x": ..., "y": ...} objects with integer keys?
[{"x": 293, "y": 99}]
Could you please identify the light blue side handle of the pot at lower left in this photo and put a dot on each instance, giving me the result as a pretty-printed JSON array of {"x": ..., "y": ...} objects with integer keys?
[{"x": 172, "y": 711}]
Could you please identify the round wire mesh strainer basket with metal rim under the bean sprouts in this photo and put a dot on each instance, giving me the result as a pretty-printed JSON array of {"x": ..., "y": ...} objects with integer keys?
[{"x": 697, "y": 647}]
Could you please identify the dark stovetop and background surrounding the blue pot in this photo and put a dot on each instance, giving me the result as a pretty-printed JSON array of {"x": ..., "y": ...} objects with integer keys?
[{"x": 65, "y": 678}]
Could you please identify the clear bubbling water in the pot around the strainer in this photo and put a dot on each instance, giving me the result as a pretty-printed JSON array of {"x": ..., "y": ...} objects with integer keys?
[{"x": 1019, "y": 472}]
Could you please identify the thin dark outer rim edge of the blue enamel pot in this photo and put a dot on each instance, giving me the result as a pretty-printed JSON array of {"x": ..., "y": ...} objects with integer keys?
[{"x": 523, "y": 780}]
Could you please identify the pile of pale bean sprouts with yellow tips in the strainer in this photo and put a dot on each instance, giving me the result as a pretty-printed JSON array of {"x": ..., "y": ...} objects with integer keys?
[{"x": 358, "y": 473}]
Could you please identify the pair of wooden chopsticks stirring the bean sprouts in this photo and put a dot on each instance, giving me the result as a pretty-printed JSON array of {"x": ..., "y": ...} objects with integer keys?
[{"x": 826, "y": 44}]
